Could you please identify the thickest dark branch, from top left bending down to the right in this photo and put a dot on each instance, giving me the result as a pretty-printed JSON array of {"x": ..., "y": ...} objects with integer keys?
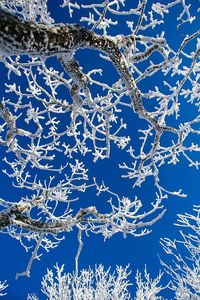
[{"x": 21, "y": 37}]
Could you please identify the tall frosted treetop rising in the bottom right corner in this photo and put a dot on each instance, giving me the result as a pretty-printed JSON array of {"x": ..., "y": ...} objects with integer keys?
[{"x": 185, "y": 252}]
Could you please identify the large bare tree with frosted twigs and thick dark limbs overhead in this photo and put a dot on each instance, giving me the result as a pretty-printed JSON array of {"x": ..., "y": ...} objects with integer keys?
[{"x": 39, "y": 123}]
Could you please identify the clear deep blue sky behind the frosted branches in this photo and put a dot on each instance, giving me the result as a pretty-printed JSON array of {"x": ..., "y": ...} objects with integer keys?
[{"x": 137, "y": 252}]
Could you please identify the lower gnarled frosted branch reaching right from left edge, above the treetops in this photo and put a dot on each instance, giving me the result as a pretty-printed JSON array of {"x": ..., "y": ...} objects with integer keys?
[{"x": 117, "y": 221}]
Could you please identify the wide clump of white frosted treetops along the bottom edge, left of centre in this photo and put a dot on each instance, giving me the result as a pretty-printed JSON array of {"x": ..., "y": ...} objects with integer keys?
[{"x": 89, "y": 284}]
